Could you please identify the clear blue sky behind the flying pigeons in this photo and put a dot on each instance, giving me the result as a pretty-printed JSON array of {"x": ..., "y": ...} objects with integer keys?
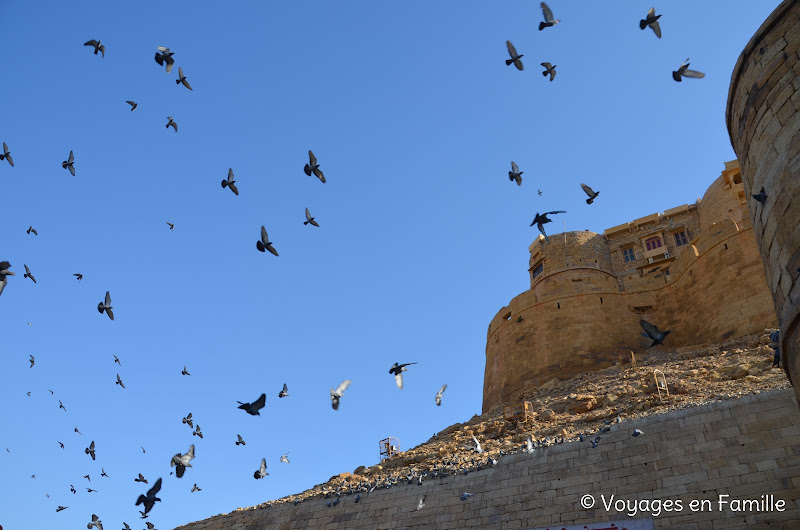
[{"x": 414, "y": 118}]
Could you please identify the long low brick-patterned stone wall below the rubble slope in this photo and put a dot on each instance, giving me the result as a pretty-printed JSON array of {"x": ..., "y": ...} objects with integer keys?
[{"x": 743, "y": 448}]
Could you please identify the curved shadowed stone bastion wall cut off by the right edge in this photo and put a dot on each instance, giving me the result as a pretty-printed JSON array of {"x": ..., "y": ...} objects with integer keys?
[{"x": 764, "y": 127}]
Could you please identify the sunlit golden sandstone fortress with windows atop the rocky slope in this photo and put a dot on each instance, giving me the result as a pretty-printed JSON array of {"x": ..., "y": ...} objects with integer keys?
[{"x": 693, "y": 269}]
